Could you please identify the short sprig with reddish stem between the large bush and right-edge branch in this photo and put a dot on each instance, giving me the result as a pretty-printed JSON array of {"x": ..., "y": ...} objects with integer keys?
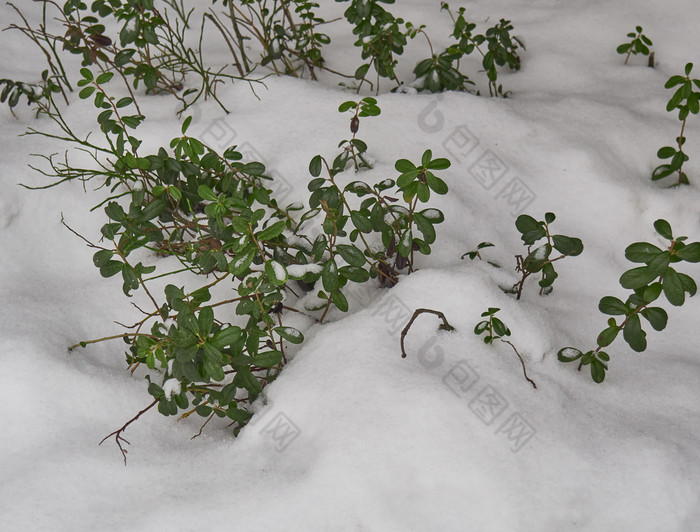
[{"x": 541, "y": 259}]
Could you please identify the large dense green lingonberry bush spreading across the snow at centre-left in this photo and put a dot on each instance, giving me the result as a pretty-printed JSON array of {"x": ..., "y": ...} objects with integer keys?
[{"x": 213, "y": 215}]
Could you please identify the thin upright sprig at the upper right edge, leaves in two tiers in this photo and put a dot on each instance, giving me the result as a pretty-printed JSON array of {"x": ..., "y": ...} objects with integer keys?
[{"x": 687, "y": 101}]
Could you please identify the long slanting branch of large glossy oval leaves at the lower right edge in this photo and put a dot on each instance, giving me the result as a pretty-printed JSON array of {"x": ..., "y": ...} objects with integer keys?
[{"x": 647, "y": 283}]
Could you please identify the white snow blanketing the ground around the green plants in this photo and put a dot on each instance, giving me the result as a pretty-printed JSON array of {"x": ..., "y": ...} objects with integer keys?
[{"x": 353, "y": 437}]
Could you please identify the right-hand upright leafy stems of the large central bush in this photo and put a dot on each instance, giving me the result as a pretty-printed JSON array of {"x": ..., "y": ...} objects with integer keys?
[{"x": 378, "y": 213}]
